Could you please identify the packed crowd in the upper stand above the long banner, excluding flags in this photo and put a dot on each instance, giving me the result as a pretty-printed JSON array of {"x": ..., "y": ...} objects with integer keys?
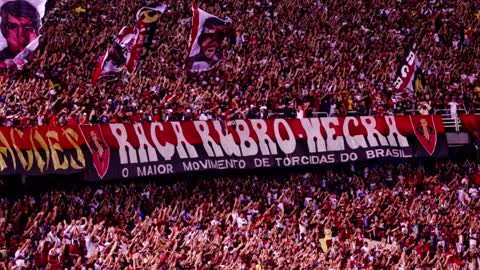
[{"x": 293, "y": 57}]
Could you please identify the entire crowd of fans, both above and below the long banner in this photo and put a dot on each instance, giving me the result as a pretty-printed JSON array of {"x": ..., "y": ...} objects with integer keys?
[{"x": 287, "y": 58}]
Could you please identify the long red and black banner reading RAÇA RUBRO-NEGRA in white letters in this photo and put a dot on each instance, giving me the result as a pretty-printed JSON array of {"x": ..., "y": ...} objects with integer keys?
[{"x": 178, "y": 147}]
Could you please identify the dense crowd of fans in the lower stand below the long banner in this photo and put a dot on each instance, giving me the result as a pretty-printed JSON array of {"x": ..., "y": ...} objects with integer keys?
[{"x": 380, "y": 216}]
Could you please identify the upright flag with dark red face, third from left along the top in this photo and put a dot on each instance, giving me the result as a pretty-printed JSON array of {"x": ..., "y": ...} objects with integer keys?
[{"x": 208, "y": 33}]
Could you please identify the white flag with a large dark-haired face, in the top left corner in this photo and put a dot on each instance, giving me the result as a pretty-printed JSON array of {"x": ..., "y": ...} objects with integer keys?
[{"x": 20, "y": 23}]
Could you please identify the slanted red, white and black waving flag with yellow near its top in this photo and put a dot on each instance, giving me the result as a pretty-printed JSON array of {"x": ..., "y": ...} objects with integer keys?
[{"x": 131, "y": 45}]
